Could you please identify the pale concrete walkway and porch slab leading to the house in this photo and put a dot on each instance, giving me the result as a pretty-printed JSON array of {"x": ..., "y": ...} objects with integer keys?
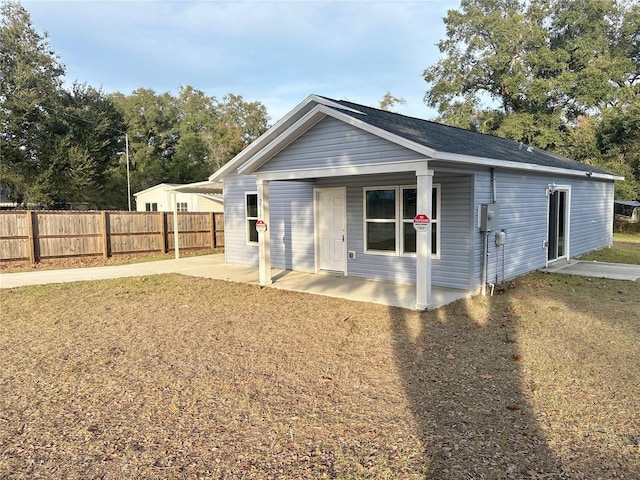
[{"x": 212, "y": 266}]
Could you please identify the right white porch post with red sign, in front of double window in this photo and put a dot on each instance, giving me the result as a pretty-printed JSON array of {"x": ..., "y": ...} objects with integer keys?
[{"x": 423, "y": 241}]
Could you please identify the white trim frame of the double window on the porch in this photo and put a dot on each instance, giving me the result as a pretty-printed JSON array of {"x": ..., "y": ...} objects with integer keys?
[{"x": 399, "y": 221}]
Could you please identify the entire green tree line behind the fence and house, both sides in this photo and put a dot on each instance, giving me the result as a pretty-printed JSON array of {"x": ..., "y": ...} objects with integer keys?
[{"x": 561, "y": 75}]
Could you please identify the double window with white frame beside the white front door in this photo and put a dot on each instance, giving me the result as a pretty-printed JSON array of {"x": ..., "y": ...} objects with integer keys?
[{"x": 389, "y": 213}]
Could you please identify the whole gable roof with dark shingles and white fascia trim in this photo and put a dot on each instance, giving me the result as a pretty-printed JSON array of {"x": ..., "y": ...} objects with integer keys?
[{"x": 433, "y": 140}]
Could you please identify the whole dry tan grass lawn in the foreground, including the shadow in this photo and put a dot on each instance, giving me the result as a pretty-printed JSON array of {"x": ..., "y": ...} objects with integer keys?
[{"x": 172, "y": 377}]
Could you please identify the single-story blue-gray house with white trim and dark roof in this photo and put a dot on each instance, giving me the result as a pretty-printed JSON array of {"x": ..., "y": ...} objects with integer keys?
[{"x": 340, "y": 187}]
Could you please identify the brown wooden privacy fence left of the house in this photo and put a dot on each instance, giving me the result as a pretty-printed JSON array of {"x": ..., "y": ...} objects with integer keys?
[{"x": 35, "y": 235}]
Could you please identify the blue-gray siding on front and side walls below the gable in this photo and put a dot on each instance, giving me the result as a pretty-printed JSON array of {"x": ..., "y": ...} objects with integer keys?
[{"x": 523, "y": 215}]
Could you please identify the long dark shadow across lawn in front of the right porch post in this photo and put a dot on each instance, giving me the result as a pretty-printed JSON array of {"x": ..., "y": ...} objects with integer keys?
[{"x": 462, "y": 375}]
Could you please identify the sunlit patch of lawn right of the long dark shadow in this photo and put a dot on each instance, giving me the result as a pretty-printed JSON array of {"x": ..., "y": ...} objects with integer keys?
[{"x": 580, "y": 346}]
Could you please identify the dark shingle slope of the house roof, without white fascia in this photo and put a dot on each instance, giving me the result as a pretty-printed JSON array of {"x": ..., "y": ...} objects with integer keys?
[{"x": 444, "y": 138}]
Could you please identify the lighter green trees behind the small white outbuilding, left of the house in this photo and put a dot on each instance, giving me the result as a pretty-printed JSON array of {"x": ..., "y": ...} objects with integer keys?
[{"x": 185, "y": 138}]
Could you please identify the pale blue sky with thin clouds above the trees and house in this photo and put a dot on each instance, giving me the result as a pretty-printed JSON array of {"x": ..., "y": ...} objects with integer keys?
[{"x": 274, "y": 52}]
